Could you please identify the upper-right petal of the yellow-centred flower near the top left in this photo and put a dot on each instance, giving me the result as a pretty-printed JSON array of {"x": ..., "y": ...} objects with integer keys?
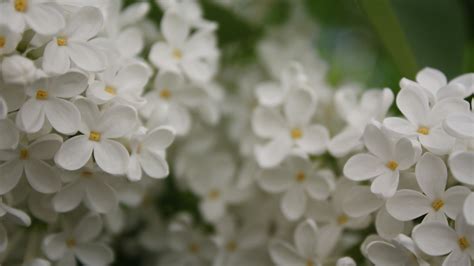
[{"x": 84, "y": 24}]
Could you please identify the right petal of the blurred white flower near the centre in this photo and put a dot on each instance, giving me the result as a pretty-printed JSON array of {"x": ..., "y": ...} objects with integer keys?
[{"x": 314, "y": 140}]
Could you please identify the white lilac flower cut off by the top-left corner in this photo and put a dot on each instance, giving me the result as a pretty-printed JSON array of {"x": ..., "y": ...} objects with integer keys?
[{"x": 43, "y": 17}]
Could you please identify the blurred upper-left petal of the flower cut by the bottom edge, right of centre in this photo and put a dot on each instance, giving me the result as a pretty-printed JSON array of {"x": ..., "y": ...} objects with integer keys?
[{"x": 283, "y": 254}]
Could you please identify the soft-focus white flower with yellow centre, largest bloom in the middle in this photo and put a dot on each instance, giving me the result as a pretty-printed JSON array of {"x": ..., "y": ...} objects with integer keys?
[{"x": 292, "y": 133}]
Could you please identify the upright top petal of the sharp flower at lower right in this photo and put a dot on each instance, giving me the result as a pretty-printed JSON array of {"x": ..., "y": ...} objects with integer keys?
[{"x": 431, "y": 174}]
